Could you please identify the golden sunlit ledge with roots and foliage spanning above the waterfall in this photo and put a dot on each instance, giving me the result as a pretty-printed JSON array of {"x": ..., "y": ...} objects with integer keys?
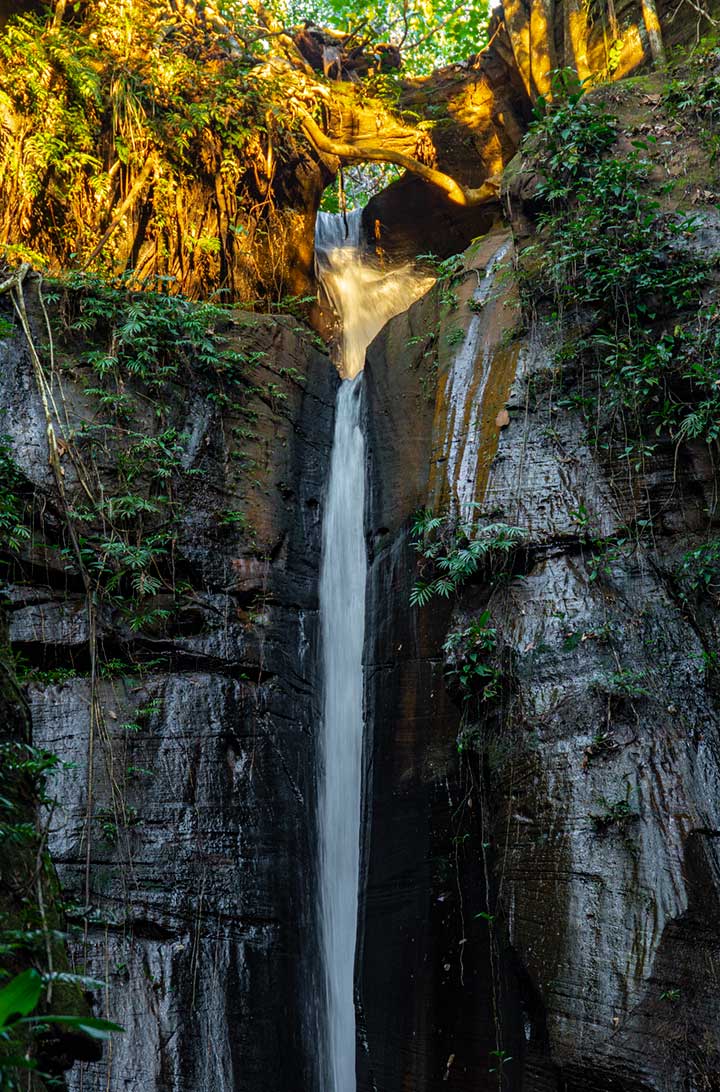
[{"x": 190, "y": 181}]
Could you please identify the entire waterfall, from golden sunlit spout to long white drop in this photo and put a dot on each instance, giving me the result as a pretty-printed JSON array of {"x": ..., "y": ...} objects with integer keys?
[{"x": 364, "y": 296}]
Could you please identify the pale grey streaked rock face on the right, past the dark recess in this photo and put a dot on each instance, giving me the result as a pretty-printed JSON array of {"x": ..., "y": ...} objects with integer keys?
[{"x": 608, "y": 793}]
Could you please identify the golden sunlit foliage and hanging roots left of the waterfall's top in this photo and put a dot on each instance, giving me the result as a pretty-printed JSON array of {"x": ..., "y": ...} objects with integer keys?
[{"x": 144, "y": 98}]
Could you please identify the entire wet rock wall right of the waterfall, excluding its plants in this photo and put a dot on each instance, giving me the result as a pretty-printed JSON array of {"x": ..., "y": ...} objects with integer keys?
[{"x": 584, "y": 818}]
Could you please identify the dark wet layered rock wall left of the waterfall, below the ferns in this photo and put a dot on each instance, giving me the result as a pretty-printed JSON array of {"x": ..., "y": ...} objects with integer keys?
[{"x": 184, "y": 829}]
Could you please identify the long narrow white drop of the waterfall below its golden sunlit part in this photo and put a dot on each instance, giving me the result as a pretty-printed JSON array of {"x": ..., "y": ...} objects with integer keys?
[{"x": 343, "y": 612}]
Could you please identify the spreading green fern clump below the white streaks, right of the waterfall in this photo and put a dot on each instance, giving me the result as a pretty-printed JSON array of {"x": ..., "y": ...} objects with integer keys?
[{"x": 456, "y": 550}]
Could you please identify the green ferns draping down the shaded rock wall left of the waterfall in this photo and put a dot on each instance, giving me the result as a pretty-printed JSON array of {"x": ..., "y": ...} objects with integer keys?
[{"x": 143, "y": 353}]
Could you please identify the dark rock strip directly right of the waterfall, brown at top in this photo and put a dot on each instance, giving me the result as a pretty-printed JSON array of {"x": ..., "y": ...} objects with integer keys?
[{"x": 427, "y": 999}]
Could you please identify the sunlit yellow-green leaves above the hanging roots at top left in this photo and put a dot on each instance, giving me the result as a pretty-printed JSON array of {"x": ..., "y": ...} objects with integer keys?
[{"x": 159, "y": 88}]
